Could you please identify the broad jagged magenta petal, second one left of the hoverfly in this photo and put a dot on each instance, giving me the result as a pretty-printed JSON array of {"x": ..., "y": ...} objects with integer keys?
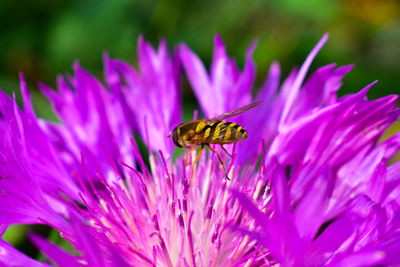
[{"x": 92, "y": 121}]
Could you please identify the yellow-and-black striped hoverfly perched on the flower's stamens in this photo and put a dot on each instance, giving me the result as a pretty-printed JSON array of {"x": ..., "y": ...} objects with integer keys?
[{"x": 211, "y": 131}]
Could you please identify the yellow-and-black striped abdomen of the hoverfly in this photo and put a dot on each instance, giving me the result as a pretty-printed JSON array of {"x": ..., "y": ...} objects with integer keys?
[{"x": 221, "y": 132}]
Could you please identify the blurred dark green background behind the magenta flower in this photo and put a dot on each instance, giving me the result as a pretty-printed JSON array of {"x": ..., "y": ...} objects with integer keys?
[{"x": 42, "y": 38}]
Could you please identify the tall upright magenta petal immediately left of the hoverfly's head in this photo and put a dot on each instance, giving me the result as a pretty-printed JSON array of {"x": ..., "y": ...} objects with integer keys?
[{"x": 142, "y": 95}]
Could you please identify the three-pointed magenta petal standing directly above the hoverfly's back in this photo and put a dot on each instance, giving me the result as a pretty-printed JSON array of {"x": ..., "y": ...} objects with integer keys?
[{"x": 224, "y": 79}]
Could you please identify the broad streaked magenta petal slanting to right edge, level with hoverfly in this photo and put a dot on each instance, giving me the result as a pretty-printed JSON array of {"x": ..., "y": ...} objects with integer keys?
[{"x": 311, "y": 132}]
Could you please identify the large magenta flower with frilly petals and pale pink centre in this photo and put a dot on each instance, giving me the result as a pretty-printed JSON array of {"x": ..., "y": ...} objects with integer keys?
[{"x": 310, "y": 186}]
